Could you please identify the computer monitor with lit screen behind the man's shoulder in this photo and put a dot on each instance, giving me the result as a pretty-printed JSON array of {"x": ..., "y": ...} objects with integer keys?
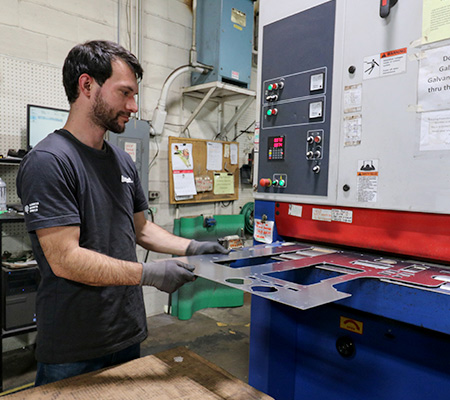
[{"x": 41, "y": 121}]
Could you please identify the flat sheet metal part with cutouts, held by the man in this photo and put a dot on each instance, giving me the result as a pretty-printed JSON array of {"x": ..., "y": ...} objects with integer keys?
[{"x": 305, "y": 276}]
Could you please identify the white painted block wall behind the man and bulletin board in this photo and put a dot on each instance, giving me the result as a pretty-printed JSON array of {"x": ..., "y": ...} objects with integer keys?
[{"x": 43, "y": 31}]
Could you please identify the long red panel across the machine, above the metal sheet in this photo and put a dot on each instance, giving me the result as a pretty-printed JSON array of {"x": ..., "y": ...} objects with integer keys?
[{"x": 421, "y": 235}]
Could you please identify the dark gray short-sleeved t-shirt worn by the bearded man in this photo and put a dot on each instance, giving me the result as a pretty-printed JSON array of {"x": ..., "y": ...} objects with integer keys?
[{"x": 63, "y": 182}]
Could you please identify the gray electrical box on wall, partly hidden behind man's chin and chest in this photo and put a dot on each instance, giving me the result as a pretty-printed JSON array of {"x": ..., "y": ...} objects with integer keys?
[{"x": 135, "y": 141}]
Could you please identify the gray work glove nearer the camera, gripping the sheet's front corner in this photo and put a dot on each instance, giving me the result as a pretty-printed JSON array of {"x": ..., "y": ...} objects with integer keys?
[{"x": 166, "y": 275}]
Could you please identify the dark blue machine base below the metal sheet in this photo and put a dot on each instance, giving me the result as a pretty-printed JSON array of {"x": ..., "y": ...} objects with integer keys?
[{"x": 293, "y": 355}]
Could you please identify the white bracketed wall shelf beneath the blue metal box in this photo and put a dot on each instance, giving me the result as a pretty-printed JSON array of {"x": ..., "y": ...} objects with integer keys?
[{"x": 220, "y": 92}]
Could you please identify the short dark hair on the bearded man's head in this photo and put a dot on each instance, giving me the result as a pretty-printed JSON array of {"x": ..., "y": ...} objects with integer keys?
[{"x": 94, "y": 58}]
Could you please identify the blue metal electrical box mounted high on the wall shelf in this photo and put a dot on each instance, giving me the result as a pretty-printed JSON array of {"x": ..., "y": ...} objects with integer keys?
[{"x": 224, "y": 37}]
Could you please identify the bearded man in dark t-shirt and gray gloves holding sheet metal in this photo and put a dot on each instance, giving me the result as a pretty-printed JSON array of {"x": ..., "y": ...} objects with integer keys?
[{"x": 85, "y": 211}]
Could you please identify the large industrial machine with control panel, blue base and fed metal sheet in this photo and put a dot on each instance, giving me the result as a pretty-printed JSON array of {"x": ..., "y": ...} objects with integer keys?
[{"x": 351, "y": 283}]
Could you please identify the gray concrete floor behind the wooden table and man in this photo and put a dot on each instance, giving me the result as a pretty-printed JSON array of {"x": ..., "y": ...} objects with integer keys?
[{"x": 220, "y": 335}]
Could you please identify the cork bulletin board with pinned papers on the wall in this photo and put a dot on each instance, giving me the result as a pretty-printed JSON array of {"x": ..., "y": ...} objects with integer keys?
[{"x": 215, "y": 177}]
